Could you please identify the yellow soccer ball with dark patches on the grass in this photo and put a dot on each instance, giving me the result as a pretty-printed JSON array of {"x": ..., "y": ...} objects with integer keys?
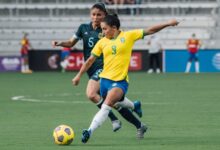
[{"x": 63, "y": 135}]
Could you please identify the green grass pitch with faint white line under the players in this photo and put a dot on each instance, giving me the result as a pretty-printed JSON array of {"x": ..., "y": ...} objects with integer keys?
[{"x": 182, "y": 112}]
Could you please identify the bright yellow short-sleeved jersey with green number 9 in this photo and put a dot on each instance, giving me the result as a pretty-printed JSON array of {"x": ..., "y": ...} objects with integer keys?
[{"x": 117, "y": 54}]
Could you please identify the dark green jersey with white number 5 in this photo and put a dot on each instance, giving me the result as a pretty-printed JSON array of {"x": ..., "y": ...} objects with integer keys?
[{"x": 90, "y": 37}]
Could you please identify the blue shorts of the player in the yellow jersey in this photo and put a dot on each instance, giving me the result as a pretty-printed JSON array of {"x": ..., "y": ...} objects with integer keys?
[{"x": 106, "y": 85}]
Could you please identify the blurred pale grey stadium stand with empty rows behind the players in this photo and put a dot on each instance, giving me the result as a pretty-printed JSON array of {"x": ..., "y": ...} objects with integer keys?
[{"x": 46, "y": 20}]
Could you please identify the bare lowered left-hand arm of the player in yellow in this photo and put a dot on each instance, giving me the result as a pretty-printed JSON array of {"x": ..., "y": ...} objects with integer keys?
[{"x": 83, "y": 69}]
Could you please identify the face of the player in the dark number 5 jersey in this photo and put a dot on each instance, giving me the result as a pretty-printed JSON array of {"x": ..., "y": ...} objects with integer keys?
[{"x": 96, "y": 16}]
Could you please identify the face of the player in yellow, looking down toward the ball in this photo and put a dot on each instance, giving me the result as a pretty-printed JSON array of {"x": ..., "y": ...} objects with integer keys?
[{"x": 108, "y": 31}]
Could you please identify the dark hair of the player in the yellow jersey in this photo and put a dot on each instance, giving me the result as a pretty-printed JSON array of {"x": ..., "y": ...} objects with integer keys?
[{"x": 112, "y": 20}]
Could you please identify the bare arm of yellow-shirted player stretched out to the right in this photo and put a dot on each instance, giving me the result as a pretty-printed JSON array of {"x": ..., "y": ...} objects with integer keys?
[{"x": 155, "y": 28}]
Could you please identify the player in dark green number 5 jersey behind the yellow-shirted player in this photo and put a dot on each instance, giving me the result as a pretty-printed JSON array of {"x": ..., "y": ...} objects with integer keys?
[{"x": 91, "y": 34}]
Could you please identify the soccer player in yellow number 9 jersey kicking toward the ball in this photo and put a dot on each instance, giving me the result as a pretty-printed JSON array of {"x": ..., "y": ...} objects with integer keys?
[{"x": 116, "y": 48}]
